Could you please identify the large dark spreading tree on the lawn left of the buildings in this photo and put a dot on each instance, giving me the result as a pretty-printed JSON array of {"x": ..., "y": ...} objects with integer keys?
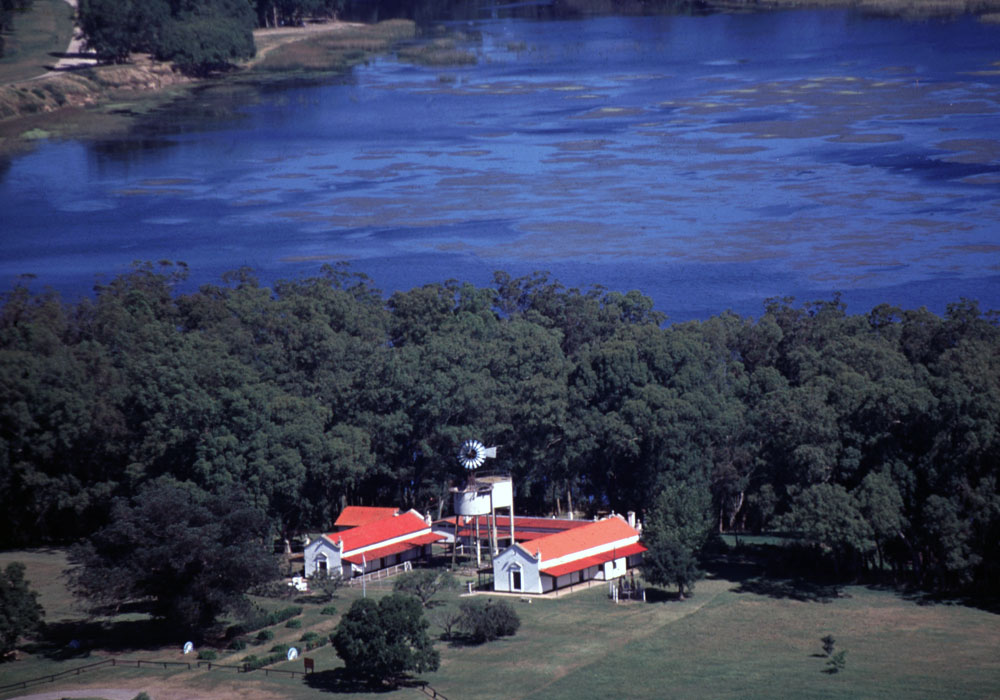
[{"x": 185, "y": 555}]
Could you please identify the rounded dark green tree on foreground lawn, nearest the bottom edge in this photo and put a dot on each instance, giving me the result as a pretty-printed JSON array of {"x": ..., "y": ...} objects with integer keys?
[{"x": 381, "y": 641}]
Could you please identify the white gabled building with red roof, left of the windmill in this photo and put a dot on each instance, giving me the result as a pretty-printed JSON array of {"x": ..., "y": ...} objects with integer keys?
[{"x": 379, "y": 544}]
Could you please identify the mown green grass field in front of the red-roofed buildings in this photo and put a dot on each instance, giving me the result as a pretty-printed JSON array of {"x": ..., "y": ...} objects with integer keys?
[{"x": 721, "y": 643}]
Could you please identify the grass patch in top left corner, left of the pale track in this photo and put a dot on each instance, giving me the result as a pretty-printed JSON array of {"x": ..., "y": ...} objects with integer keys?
[{"x": 44, "y": 29}]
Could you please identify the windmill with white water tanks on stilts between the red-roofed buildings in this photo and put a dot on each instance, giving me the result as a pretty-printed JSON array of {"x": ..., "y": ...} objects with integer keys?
[{"x": 484, "y": 495}]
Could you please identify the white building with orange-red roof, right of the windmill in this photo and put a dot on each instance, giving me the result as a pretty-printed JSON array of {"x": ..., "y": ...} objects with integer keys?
[{"x": 600, "y": 550}]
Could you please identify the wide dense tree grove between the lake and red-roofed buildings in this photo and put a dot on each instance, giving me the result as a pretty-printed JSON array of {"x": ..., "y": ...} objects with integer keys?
[{"x": 874, "y": 436}]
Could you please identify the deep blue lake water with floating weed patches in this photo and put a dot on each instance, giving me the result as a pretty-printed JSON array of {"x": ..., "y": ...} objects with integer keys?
[{"x": 710, "y": 162}]
